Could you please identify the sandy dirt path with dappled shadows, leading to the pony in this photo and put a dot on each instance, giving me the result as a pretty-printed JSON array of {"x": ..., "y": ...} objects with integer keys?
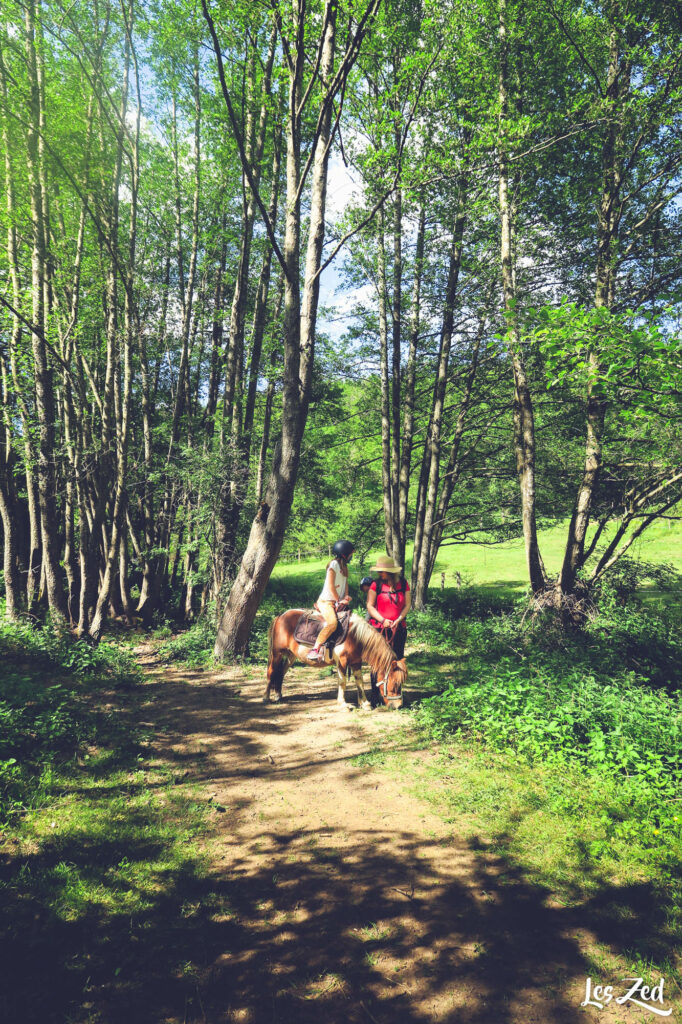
[{"x": 346, "y": 898}]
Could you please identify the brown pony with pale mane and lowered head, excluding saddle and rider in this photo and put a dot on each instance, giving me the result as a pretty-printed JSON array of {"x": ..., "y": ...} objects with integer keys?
[{"x": 363, "y": 645}]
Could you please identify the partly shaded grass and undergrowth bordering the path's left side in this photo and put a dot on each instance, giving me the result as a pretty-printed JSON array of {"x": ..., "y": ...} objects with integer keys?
[{"x": 102, "y": 882}]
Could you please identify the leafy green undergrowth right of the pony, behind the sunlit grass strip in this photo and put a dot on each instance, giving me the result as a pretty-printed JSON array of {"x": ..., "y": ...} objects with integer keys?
[{"x": 582, "y": 702}]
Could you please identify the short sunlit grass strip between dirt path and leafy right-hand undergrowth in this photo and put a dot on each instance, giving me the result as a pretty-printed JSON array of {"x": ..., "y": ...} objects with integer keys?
[{"x": 553, "y": 832}]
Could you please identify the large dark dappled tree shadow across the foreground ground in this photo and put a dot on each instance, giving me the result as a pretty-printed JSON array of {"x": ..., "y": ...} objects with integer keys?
[{"x": 325, "y": 932}]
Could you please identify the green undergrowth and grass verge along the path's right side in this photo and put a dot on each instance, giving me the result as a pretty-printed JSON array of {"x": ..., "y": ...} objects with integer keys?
[{"x": 561, "y": 753}]
